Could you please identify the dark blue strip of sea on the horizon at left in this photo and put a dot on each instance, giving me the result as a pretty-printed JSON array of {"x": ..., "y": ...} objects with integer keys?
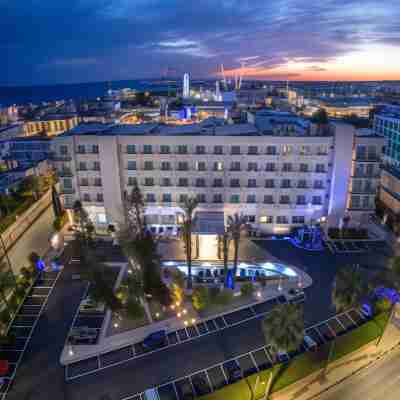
[{"x": 20, "y": 95}]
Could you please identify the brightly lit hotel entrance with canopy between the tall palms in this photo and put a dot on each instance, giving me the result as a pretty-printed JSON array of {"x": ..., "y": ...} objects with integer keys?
[{"x": 208, "y": 227}]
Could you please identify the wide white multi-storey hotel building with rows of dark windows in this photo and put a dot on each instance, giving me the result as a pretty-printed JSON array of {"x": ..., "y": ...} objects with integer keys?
[{"x": 278, "y": 179}]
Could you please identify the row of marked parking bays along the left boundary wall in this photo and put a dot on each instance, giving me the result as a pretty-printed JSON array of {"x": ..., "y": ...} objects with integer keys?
[{"x": 23, "y": 326}]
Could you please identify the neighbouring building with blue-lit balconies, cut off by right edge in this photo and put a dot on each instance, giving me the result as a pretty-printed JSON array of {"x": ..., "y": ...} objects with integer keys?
[{"x": 387, "y": 125}]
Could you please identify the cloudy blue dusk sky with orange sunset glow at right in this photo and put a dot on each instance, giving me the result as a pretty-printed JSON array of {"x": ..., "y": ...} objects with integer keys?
[{"x": 66, "y": 41}]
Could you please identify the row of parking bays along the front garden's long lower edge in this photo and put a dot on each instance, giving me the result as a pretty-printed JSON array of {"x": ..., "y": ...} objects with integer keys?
[{"x": 136, "y": 350}]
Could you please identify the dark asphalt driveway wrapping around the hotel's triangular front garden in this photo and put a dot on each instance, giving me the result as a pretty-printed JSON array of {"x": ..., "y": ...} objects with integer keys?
[{"x": 42, "y": 377}]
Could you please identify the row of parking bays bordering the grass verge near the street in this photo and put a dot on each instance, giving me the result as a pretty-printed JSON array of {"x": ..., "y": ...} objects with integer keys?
[{"x": 216, "y": 376}]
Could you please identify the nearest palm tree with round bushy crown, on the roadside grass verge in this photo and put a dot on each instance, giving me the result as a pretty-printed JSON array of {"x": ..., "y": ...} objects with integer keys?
[{"x": 283, "y": 328}]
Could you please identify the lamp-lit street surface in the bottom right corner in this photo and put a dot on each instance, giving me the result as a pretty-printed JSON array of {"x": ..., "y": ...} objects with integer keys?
[{"x": 380, "y": 381}]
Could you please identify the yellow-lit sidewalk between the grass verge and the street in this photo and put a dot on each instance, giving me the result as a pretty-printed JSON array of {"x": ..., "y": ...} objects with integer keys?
[{"x": 312, "y": 386}]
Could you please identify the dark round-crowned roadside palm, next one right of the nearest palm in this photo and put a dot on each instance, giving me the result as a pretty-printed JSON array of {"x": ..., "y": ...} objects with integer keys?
[{"x": 348, "y": 290}]
